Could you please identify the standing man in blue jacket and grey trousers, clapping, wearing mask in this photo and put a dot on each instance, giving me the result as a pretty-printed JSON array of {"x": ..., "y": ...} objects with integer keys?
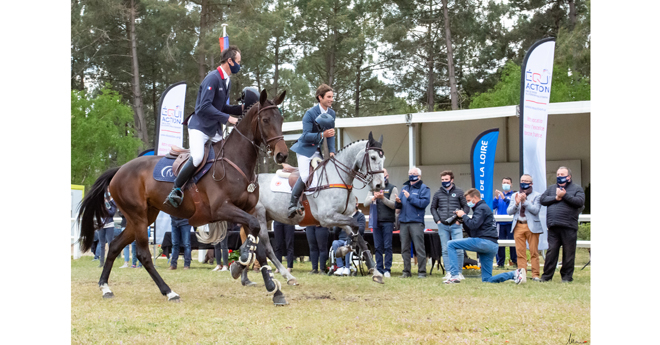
[{"x": 412, "y": 202}]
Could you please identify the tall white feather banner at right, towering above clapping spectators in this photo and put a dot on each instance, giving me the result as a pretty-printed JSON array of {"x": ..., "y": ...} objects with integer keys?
[{"x": 535, "y": 85}]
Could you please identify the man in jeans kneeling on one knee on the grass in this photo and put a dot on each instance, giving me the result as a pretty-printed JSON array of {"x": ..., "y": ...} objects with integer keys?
[{"x": 483, "y": 240}]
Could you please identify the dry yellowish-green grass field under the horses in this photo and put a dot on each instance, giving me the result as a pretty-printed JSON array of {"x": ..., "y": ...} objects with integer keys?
[{"x": 215, "y": 309}]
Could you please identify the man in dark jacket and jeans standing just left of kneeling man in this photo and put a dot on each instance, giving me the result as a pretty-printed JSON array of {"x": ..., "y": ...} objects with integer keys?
[{"x": 446, "y": 200}]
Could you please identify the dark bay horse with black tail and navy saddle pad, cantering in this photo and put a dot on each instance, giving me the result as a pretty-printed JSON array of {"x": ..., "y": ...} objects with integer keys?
[{"x": 227, "y": 192}]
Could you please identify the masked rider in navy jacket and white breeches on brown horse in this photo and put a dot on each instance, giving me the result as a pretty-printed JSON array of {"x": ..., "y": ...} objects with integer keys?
[{"x": 212, "y": 110}]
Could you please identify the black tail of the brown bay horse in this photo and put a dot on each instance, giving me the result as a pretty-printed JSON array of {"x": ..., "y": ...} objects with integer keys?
[{"x": 92, "y": 209}]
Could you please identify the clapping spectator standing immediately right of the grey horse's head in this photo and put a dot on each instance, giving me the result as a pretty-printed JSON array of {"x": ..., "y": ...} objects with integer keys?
[{"x": 381, "y": 220}]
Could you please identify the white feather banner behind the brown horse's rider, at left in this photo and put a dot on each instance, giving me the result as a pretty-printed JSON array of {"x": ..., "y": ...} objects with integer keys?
[{"x": 169, "y": 130}]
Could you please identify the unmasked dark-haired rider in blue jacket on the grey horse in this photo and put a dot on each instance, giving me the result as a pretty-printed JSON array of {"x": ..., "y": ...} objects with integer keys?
[{"x": 308, "y": 145}]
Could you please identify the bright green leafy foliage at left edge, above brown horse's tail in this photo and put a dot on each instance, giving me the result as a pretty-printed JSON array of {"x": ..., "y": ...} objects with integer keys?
[{"x": 102, "y": 134}]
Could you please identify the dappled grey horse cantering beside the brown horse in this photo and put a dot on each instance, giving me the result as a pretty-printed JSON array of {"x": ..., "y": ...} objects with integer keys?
[{"x": 328, "y": 205}]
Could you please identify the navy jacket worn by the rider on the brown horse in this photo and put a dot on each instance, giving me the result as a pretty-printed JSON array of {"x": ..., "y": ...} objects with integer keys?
[{"x": 211, "y": 108}]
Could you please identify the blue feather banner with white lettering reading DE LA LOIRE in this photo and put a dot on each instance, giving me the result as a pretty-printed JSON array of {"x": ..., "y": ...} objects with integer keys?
[{"x": 482, "y": 163}]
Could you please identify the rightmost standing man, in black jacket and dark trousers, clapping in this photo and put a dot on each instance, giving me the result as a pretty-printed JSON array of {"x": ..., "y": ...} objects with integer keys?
[{"x": 565, "y": 201}]
